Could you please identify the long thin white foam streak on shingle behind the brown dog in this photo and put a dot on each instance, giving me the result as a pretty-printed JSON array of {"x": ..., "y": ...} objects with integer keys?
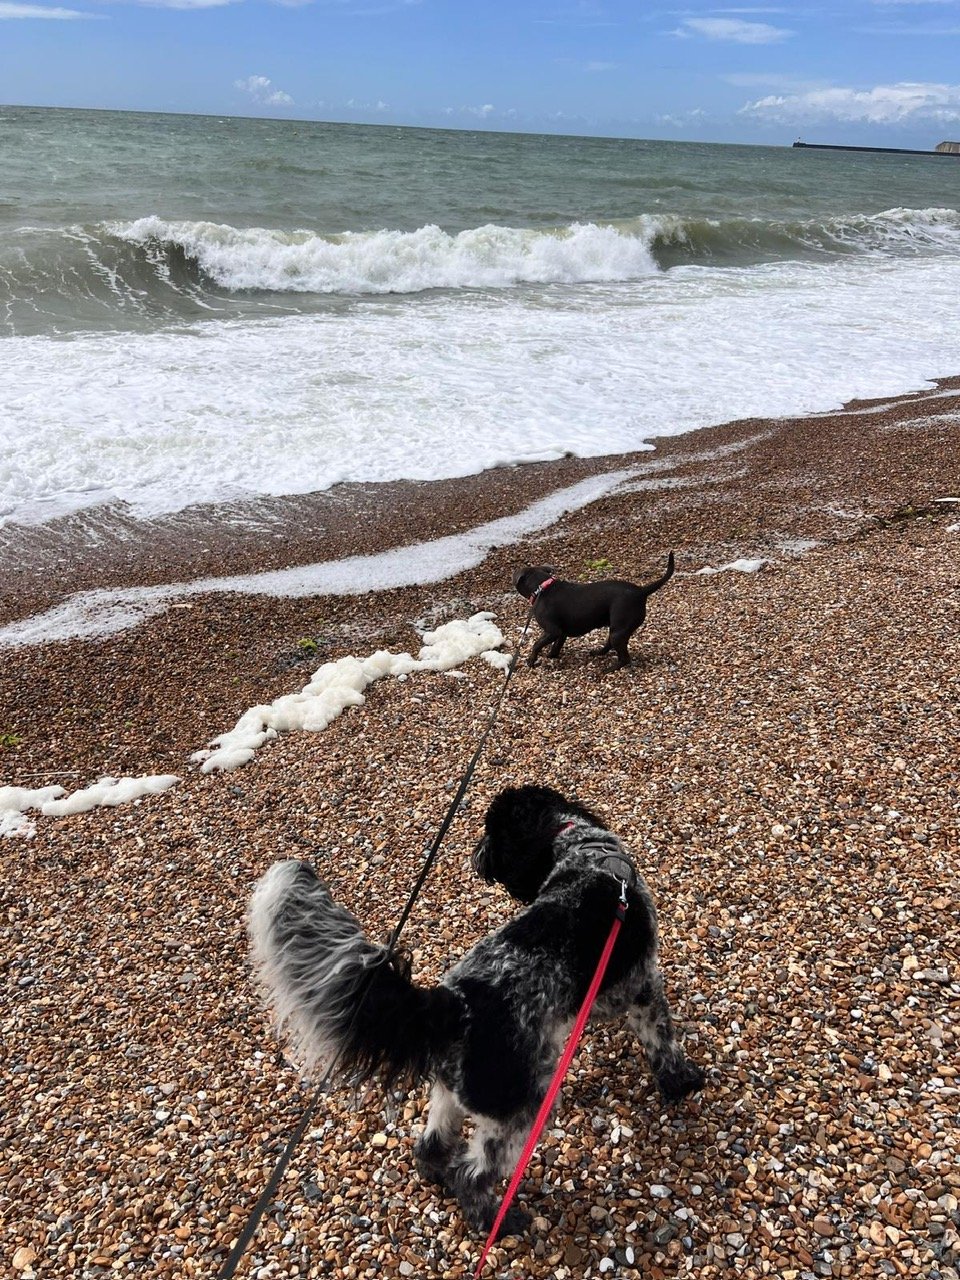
[{"x": 99, "y": 614}]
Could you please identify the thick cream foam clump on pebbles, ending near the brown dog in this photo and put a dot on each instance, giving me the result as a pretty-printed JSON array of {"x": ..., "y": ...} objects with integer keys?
[{"x": 339, "y": 685}]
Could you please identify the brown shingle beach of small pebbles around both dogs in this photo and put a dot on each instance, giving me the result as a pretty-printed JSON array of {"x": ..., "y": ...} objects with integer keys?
[{"x": 781, "y": 760}]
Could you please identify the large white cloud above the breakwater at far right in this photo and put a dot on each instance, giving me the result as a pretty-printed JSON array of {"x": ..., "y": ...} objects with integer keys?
[{"x": 885, "y": 104}]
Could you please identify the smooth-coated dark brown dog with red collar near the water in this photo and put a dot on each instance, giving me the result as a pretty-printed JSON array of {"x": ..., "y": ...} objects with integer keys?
[{"x": 574, "y": 609}]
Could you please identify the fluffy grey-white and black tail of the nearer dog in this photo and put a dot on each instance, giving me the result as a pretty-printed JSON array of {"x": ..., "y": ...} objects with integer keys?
[{"x": 339, "y": 996}]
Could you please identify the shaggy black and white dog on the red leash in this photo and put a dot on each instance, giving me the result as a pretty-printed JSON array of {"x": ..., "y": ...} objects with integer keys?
[{"x": 490, "y": 1035}]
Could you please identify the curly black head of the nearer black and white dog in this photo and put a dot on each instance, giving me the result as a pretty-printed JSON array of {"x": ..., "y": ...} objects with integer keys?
[{"x": 523, "y": 825}]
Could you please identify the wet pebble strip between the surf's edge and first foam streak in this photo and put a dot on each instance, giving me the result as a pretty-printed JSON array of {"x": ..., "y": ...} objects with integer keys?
[{"x": 104, "y": 547}]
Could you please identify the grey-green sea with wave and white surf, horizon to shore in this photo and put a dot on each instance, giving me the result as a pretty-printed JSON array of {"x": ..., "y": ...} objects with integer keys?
[{"x": 203, "y": 310}]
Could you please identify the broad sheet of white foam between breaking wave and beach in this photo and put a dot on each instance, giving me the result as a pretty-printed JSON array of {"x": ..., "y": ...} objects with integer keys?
[{"x": 454, "y": 383}]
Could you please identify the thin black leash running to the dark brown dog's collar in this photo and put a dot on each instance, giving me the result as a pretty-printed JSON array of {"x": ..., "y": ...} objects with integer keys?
[{"x": 260, "y": 1208}]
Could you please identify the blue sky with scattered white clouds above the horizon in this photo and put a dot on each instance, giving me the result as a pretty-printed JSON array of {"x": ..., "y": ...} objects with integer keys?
[{"x": 863, "y": 72}]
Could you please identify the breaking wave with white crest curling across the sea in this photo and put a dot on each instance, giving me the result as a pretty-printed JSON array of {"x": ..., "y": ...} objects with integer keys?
[{"x": 117, "y": 273}]
